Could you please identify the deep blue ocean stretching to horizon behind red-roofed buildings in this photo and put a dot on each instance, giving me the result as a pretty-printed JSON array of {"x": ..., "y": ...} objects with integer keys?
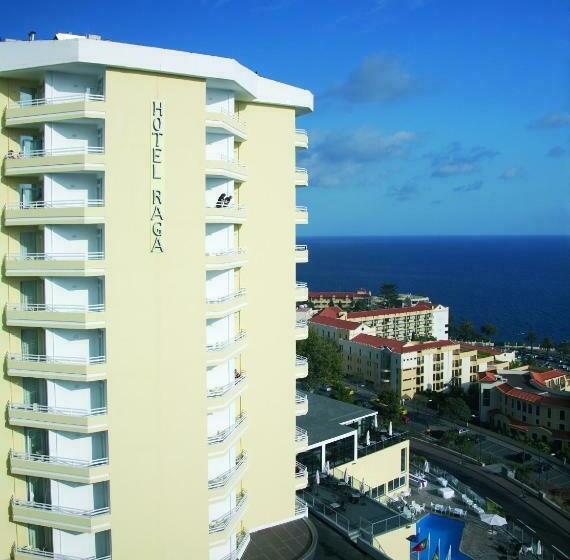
[{"x": 519, "y": 284}]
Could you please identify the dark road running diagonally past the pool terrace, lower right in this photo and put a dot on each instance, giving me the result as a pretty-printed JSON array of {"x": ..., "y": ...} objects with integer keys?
[{"x": 551, "y": 526}]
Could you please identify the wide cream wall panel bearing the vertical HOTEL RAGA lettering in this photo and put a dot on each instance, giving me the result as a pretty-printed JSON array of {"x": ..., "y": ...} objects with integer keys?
[{"x": 156, "y": 321}]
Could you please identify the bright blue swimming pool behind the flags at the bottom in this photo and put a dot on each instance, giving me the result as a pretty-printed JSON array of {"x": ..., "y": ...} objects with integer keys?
[{"x": 443, "y": 529}]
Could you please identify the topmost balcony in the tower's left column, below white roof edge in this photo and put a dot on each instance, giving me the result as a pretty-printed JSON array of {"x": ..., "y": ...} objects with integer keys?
[{"x": 56, "y": 109}]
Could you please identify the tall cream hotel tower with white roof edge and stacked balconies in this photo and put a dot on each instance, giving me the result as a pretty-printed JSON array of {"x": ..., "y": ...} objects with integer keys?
[{"x": 149, "y": 216}]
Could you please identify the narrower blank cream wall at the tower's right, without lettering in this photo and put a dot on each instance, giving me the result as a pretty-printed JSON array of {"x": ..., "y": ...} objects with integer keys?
[{"x": 269, "y": 238}]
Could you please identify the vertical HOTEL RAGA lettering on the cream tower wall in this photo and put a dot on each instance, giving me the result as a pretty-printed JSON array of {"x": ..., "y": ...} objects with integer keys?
[{"x": 157, "y": 177}]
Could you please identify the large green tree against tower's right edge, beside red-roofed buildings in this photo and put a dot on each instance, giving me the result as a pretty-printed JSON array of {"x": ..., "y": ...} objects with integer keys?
[{"x": 325, "y": 359}]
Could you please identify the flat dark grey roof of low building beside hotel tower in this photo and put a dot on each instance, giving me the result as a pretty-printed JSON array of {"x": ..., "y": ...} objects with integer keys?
[{"x": 326, "y": 417}]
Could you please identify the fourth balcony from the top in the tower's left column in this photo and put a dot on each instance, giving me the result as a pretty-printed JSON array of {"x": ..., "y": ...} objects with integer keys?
[{"x": 55, "y": 264}]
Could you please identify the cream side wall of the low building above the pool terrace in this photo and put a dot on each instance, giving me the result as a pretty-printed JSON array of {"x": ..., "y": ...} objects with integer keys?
[{"x": 380, "y": 467}]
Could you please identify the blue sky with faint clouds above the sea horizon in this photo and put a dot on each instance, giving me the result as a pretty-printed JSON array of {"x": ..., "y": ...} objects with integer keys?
[{"x": 432, "y": 116}]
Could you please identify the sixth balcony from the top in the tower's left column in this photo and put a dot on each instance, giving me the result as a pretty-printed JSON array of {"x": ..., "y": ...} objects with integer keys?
[{"x": 56, "y": 367}]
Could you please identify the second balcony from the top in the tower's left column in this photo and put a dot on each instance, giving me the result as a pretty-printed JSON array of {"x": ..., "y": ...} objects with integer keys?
[{"x": 57, "y": 160}]
